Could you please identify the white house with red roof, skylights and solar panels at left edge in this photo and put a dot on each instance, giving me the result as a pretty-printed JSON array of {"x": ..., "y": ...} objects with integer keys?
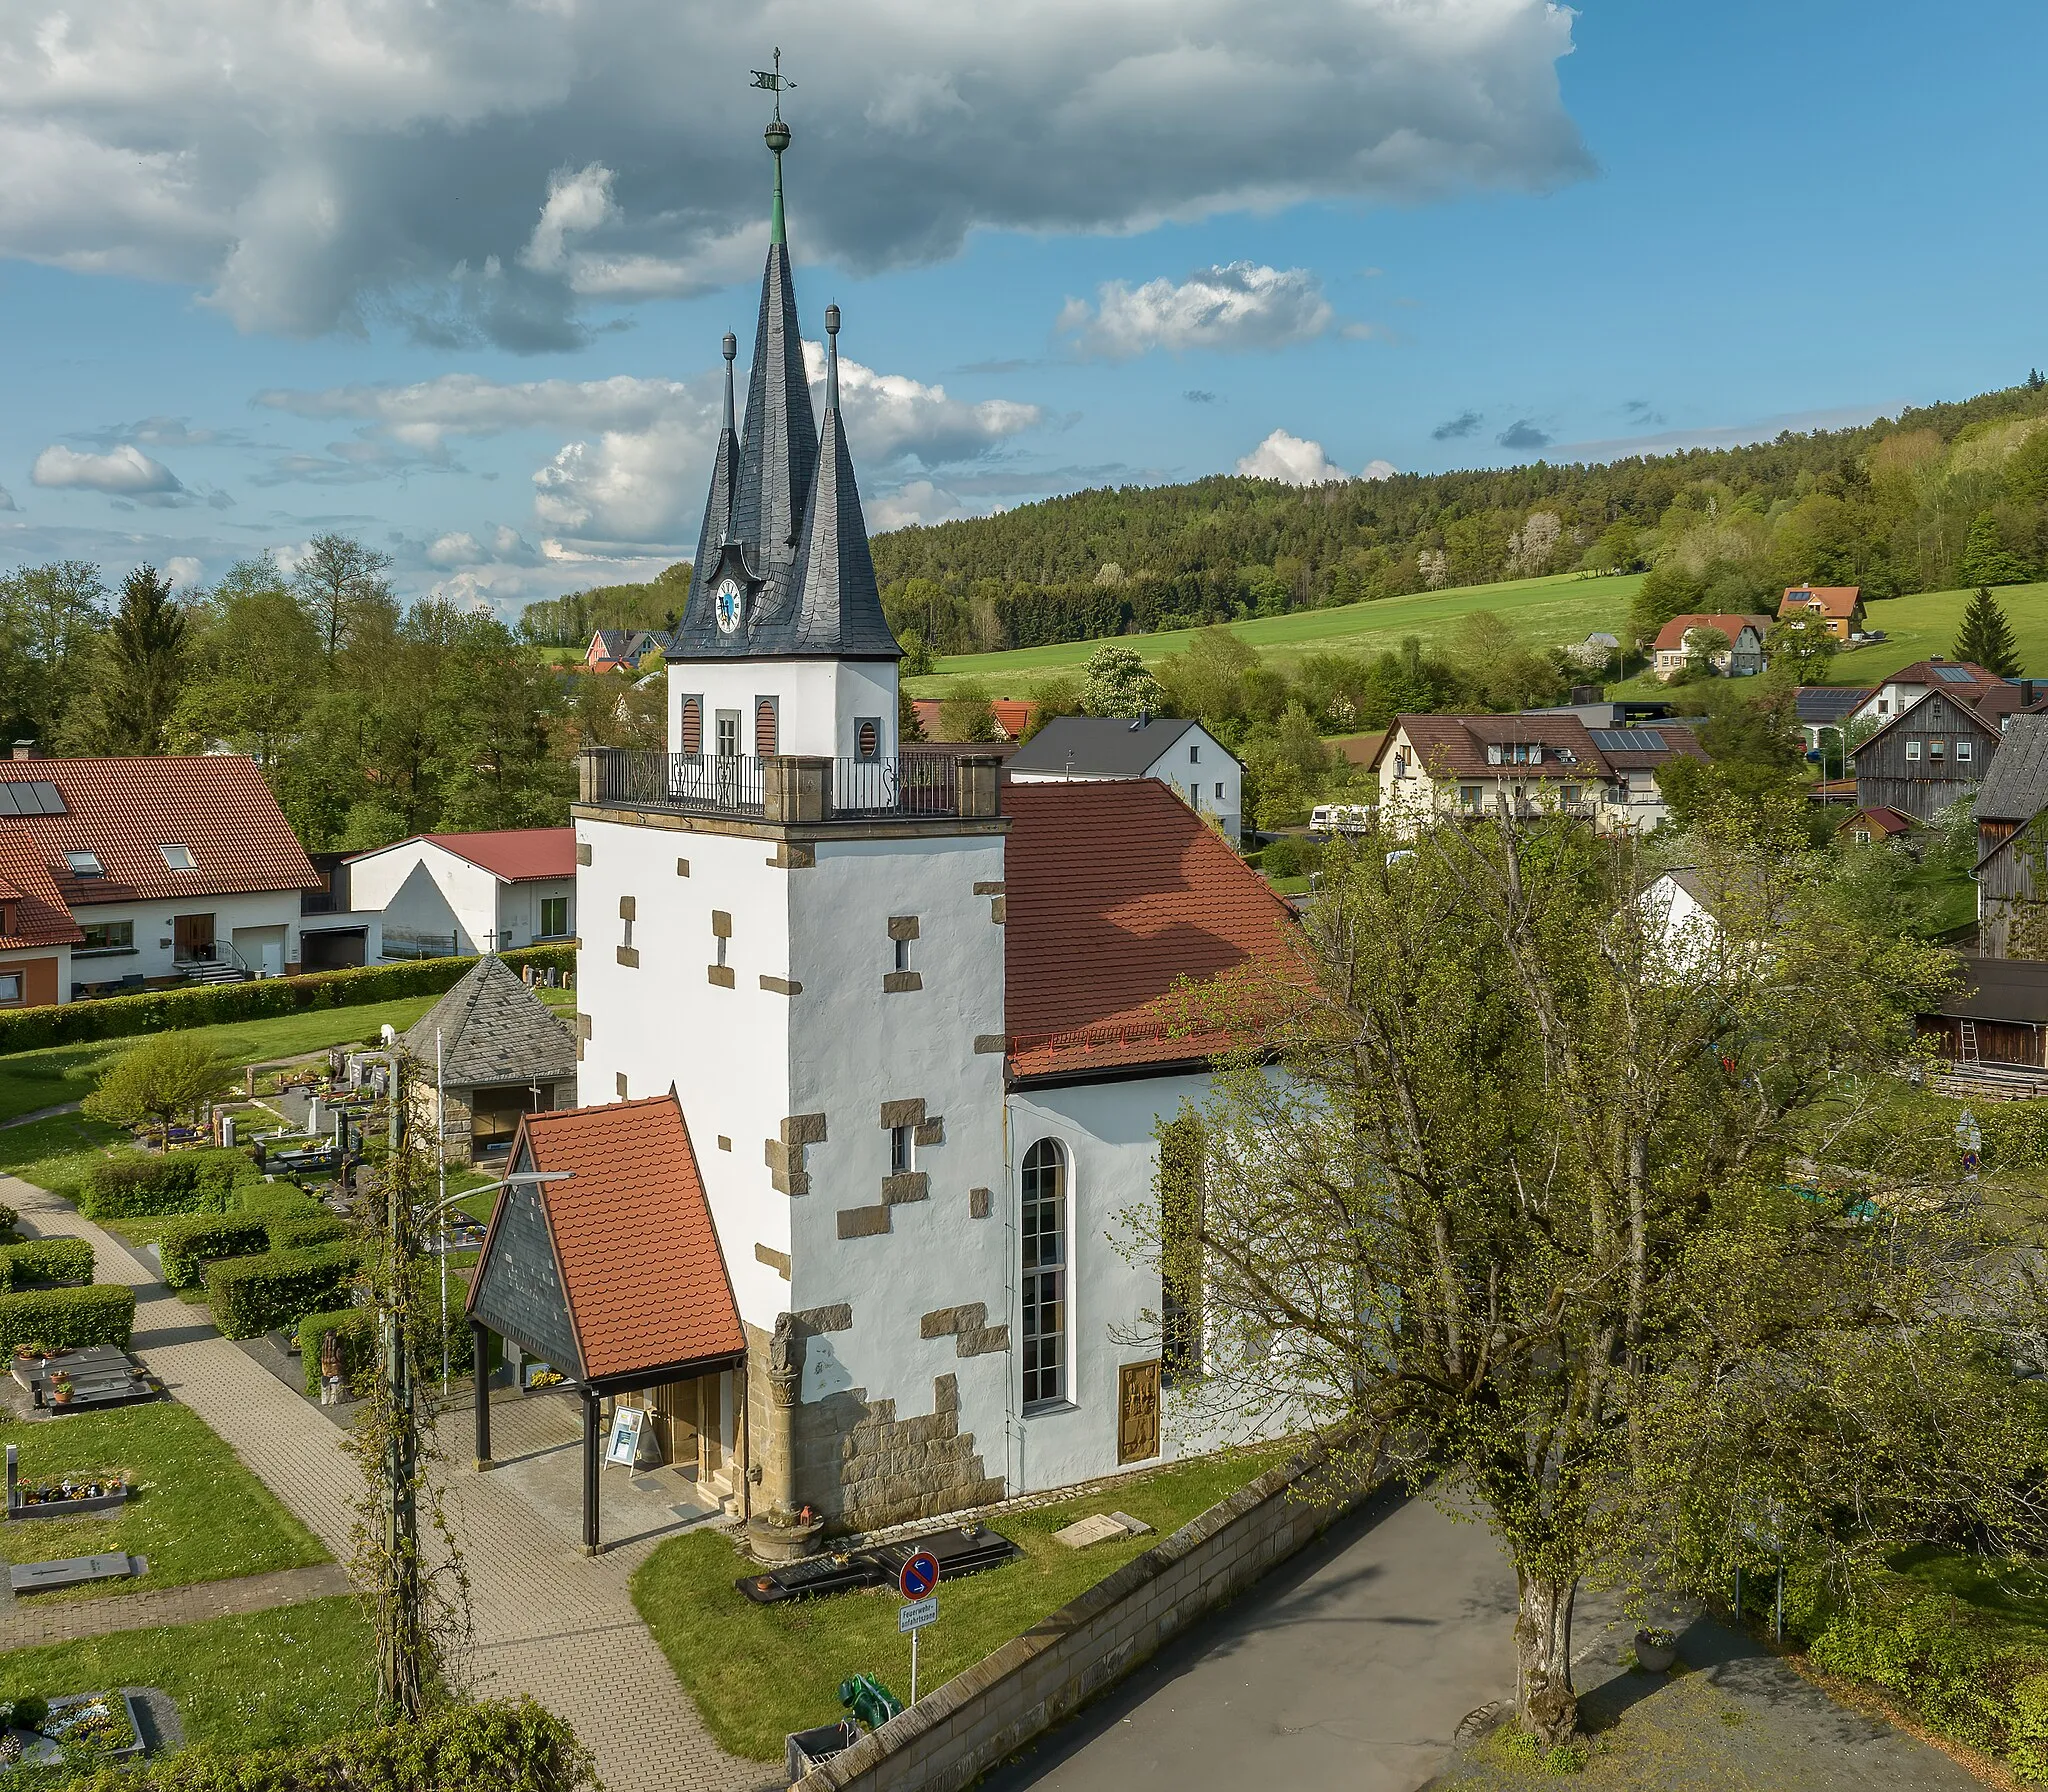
[{"x": 171, "y": 869}]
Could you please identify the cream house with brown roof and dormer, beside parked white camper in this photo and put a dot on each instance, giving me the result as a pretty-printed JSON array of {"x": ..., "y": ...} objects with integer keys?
[{"x": 1471, "y": 765}]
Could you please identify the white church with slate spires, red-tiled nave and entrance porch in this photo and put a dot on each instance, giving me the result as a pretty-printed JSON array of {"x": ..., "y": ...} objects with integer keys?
[{"x": 912, "y": 1019}]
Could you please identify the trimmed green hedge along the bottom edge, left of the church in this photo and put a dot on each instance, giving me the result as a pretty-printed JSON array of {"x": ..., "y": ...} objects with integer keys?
[{"x": 495, "y": 1744}]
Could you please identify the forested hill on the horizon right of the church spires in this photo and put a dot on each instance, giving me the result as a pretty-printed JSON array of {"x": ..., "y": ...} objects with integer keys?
[{"x": 1943, "y": 495}]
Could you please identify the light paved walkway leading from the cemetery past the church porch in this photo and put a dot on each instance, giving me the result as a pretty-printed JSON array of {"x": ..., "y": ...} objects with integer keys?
[{"x": 550, "y": 1623}]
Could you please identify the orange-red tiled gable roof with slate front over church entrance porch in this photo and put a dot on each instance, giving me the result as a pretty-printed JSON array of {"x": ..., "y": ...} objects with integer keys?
[{"x": 626, "y": 1240}]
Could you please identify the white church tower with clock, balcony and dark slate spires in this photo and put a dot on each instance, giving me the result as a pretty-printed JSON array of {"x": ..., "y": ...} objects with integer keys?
[{"x": 802, "y": 931}]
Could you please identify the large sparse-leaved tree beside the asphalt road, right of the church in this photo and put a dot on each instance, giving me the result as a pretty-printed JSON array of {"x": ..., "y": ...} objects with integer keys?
[{"x": 1525, "y": 1193}]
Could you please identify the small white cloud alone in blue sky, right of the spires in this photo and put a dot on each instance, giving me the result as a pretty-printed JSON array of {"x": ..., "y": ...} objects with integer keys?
[{"x": 1238, "y": 306}]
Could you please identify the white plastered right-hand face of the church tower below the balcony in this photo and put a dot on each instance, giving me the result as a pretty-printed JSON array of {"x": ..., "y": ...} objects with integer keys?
[{"x": 857, "y": 1048}]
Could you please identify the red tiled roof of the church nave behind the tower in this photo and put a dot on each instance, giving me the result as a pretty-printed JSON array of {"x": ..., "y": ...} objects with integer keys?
[{"x": 1115, "y": 892}]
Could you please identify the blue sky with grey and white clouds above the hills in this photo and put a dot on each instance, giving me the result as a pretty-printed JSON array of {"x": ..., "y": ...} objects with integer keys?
[{"x": 417, "y": 284}]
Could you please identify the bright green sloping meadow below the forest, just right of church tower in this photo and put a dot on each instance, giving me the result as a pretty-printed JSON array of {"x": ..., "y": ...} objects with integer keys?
[{"x": 1551, "y": 613}]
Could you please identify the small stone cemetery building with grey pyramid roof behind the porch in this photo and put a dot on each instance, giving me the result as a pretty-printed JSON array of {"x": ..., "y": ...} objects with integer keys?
[{"x": 488, "y": 1054}]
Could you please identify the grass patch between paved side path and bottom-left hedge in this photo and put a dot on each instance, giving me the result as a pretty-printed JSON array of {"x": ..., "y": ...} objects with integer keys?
[{"x": 263, "y": 1680}]
